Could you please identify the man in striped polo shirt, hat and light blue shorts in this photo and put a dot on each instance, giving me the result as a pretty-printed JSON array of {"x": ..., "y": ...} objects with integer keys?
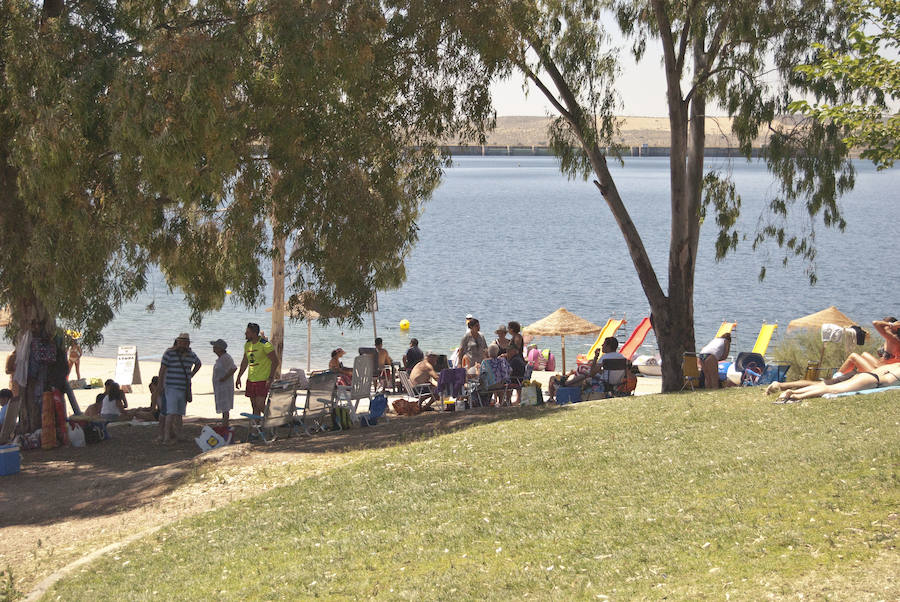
[{"x": 179, "y": 364}]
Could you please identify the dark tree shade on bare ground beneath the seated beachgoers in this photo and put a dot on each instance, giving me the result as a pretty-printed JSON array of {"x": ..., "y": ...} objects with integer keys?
[{"x": 131, "y": 469}]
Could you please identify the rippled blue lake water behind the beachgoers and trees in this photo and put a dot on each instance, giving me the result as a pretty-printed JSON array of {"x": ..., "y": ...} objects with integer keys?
[{"x": 510, "y": 238}]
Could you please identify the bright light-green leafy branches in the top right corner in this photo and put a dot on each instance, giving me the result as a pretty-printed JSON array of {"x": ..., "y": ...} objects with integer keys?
[{"x": 870, "y": 71}]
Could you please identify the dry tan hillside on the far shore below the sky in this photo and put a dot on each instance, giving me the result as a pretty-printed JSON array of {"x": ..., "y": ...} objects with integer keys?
[{"x": 635, "y": 131}]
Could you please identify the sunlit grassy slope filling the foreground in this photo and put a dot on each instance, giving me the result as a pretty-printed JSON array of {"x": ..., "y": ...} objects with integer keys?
[{"x": 707, "y": 495}]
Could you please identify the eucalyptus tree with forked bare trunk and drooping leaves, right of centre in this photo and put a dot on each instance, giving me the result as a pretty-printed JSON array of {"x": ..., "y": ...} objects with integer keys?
[{"x": 735, "y": 56}]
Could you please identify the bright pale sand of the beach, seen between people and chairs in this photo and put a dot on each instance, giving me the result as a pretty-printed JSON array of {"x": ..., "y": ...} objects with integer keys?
[{"x": 203, "y": 405}]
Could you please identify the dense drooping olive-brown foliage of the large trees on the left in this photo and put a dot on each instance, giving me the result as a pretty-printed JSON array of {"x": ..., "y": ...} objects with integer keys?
[{"x": 178, "y": 133}]
